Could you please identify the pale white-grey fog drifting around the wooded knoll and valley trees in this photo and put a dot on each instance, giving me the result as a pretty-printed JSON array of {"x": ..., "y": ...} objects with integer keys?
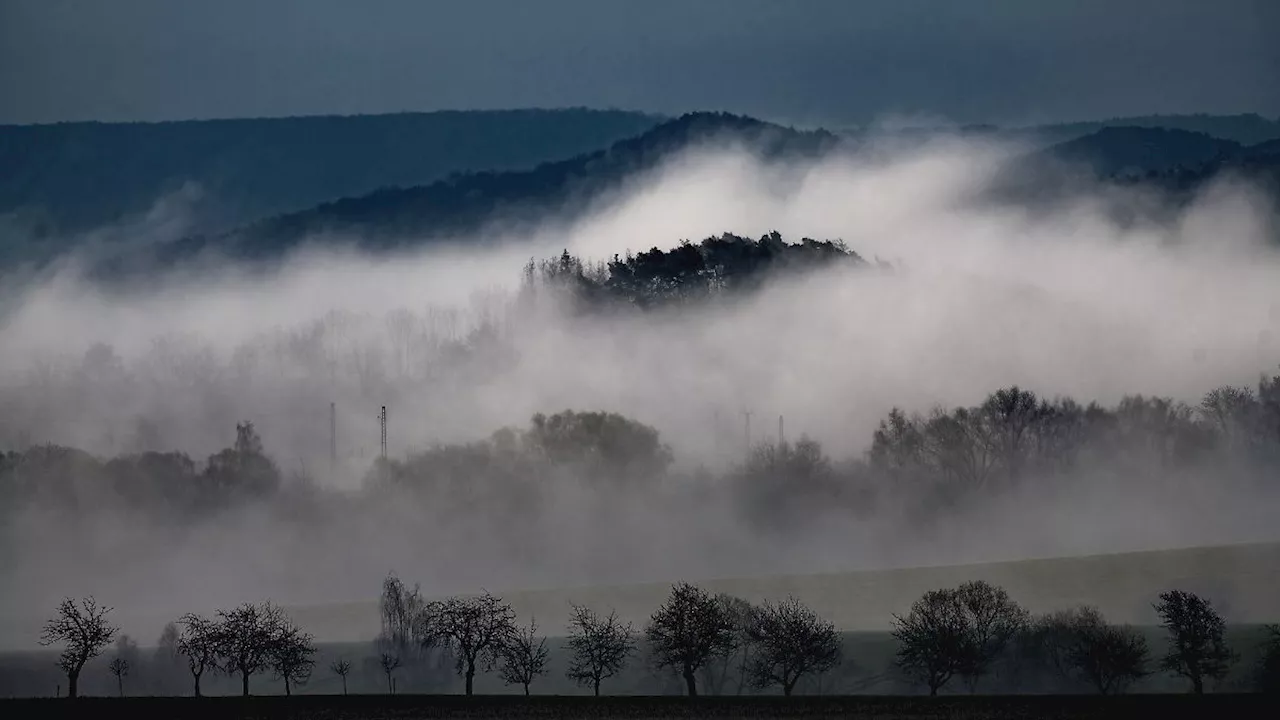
[{"x": 972, "y": 295}]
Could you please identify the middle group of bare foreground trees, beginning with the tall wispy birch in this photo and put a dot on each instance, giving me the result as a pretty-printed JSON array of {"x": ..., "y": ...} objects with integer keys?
[{"x": 779, "y": 644}]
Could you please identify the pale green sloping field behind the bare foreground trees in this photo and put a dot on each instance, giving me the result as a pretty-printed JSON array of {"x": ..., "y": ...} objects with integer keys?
[{"x": 1244, "y": 581}]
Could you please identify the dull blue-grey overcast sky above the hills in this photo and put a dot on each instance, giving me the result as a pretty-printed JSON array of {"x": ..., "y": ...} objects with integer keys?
[{"x": 801, "y": 61}]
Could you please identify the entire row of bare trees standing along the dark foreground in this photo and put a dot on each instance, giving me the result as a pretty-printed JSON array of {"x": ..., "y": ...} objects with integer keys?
[{"x": 963, "y": 634}]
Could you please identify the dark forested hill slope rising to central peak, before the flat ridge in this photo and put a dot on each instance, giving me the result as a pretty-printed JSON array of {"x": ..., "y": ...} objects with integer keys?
[{"x": 467, "y": 202}]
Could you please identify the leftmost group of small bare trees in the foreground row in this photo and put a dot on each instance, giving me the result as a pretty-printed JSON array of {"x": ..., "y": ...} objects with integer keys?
[{"x": 245, "y": 641}]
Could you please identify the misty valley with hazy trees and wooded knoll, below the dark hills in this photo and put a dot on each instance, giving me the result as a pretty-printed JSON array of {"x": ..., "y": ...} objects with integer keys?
[{"x": 1113, "y": 334}]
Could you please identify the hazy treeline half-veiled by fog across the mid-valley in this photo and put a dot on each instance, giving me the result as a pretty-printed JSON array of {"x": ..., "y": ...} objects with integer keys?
[{"x": 932, "y": 462}]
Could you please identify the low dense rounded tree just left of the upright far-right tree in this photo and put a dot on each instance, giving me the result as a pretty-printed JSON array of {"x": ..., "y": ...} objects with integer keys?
[{"x": 1082, "y": 646}]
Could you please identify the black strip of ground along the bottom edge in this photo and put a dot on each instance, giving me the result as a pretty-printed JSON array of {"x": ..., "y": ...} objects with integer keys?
[{"x": 408, "y": 708}]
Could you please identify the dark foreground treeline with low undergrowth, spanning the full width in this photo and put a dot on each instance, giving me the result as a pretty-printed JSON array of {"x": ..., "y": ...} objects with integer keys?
[{"x": 694, "y": 644}]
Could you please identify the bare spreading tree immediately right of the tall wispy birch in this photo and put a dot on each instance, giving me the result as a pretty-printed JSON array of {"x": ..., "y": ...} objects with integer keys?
[{"x": 476, "y": 630}]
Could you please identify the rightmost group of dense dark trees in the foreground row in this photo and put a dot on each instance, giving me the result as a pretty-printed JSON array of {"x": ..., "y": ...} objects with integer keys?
[{"x": 966, "y": 632}]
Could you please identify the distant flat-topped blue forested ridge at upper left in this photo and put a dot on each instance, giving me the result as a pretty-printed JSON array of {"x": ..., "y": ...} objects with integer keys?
[{"x": 68, "y": 177}]
